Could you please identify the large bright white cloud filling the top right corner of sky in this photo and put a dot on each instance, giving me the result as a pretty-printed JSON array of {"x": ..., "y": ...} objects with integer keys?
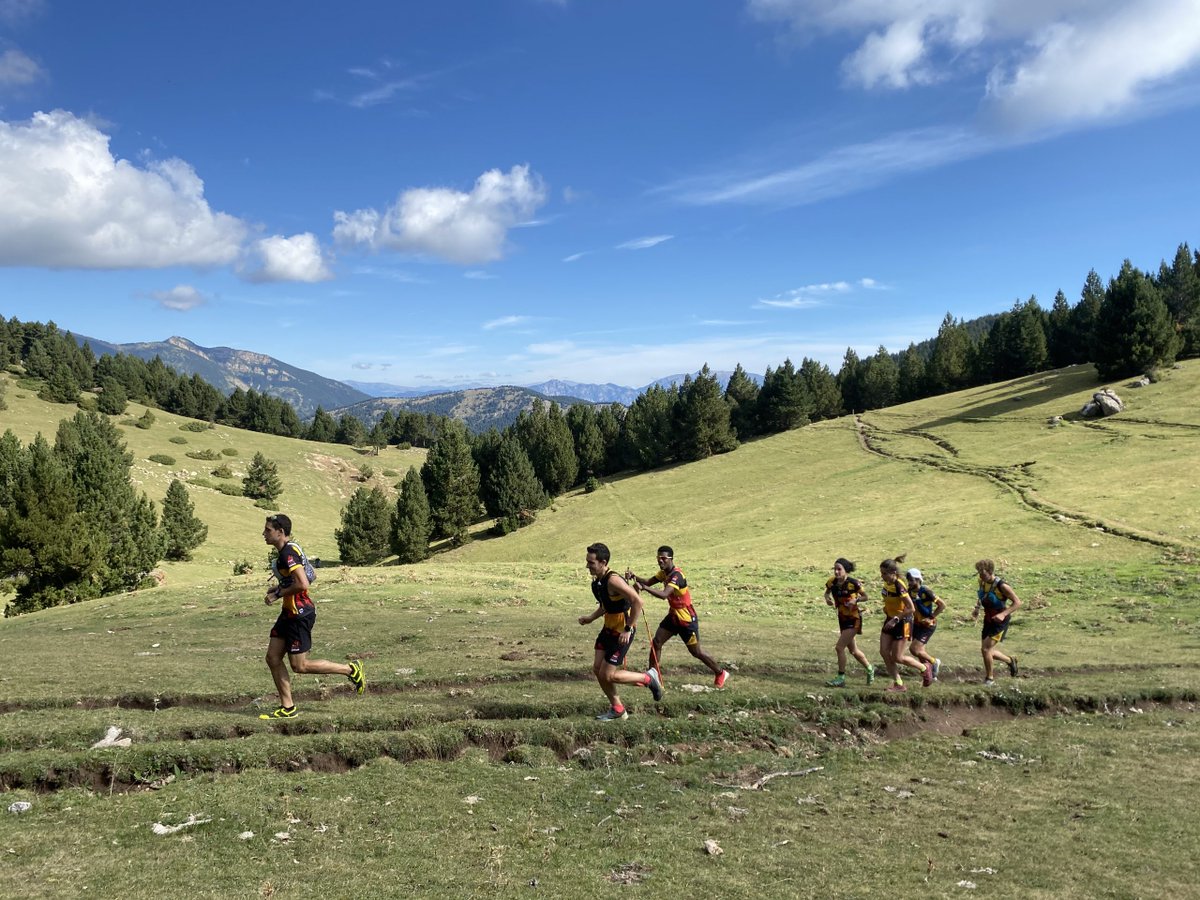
[{"x": 1042, "y": 64}]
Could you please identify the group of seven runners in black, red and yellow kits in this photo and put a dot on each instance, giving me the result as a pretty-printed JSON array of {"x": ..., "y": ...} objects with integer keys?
[{"x": 911, "y": 610}]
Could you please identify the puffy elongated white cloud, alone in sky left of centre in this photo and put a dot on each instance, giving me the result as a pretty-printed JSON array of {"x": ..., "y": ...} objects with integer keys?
[{"x": 460, "y": 227}]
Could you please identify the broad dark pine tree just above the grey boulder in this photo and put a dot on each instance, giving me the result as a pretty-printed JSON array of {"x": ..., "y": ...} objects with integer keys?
[{"x": 1135, "y": 327}]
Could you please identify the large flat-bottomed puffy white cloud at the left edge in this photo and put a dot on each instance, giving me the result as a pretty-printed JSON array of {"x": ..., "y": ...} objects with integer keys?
[{"x": 69, "y": 203}]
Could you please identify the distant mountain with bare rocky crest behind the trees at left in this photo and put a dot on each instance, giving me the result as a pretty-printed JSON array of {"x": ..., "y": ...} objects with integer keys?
[{"x": 229, "y": 369}]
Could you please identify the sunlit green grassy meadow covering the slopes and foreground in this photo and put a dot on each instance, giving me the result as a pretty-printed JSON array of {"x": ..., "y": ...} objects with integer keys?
[{"x": 475, "y": 765}]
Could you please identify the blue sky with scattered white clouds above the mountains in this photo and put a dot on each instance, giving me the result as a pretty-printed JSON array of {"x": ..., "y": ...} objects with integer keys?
[{"x": 507, "y": 191}]
